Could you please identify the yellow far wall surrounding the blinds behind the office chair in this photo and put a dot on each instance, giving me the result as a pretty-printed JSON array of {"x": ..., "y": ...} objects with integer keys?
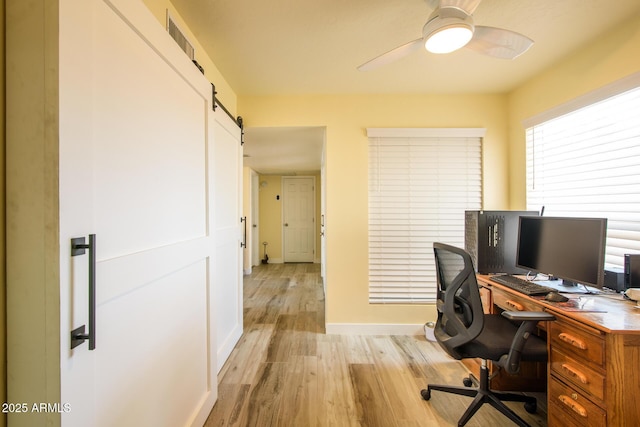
[{"x": 346, "y": 119}]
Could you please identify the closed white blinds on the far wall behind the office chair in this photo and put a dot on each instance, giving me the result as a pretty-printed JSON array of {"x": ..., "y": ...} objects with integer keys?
[{"x": 420, "y": 183}]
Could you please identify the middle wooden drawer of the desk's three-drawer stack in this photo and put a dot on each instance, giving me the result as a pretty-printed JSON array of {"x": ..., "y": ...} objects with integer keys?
[{"x": 577, "y": 374}]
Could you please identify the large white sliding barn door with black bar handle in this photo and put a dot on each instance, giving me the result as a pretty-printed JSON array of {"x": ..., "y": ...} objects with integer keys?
[{"x": 136, "y": 159}]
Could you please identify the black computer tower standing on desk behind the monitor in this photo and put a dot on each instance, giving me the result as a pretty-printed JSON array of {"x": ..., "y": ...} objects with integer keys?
[{"x": 491, "y": 238}]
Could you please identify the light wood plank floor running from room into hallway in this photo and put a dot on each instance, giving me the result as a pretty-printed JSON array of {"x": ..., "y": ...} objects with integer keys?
[{"x": 286, "y": 371}]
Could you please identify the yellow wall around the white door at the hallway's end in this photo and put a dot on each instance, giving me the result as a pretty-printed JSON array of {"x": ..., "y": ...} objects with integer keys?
[{"x": 271, "y": 215}]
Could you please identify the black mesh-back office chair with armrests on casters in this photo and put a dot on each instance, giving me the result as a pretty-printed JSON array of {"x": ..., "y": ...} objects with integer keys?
[{"x": 463, "y": 330}]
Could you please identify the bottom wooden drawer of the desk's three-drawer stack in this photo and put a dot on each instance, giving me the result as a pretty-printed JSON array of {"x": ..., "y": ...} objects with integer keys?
[{"x": 570, "y": 407}]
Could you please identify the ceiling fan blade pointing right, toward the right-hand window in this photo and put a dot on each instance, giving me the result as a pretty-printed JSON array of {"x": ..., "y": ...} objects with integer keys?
[{"x": 498, "y": 42}]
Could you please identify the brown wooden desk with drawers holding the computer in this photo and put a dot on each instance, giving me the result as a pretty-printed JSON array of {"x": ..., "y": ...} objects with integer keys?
[{"x": 593, "y": 372}]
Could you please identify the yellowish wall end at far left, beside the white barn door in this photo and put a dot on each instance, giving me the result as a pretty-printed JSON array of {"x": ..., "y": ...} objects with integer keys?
[{"x": 32, "y": 256}]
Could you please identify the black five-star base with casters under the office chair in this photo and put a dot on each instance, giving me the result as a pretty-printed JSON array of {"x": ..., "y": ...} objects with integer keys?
[{"x": 483, "y": 394}]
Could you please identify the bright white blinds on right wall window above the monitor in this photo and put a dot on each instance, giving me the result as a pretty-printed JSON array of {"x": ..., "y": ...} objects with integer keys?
[{"x": 587, "y": 163}]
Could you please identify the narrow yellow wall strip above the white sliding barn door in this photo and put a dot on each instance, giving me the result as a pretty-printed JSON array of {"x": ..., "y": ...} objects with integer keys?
[{"x": 226, "y": 94}]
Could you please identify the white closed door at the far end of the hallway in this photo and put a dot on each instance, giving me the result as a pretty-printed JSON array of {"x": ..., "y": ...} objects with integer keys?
[{"x": 299, "y": 219}]
